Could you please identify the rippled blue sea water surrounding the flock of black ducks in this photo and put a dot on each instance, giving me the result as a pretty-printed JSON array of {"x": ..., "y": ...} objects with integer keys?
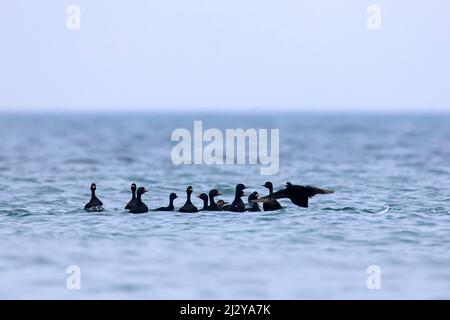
[{"x": 391, "y": 208}]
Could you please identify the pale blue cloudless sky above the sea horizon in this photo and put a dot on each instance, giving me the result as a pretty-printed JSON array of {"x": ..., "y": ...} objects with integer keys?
[{"x": 227, "y": 55}]
